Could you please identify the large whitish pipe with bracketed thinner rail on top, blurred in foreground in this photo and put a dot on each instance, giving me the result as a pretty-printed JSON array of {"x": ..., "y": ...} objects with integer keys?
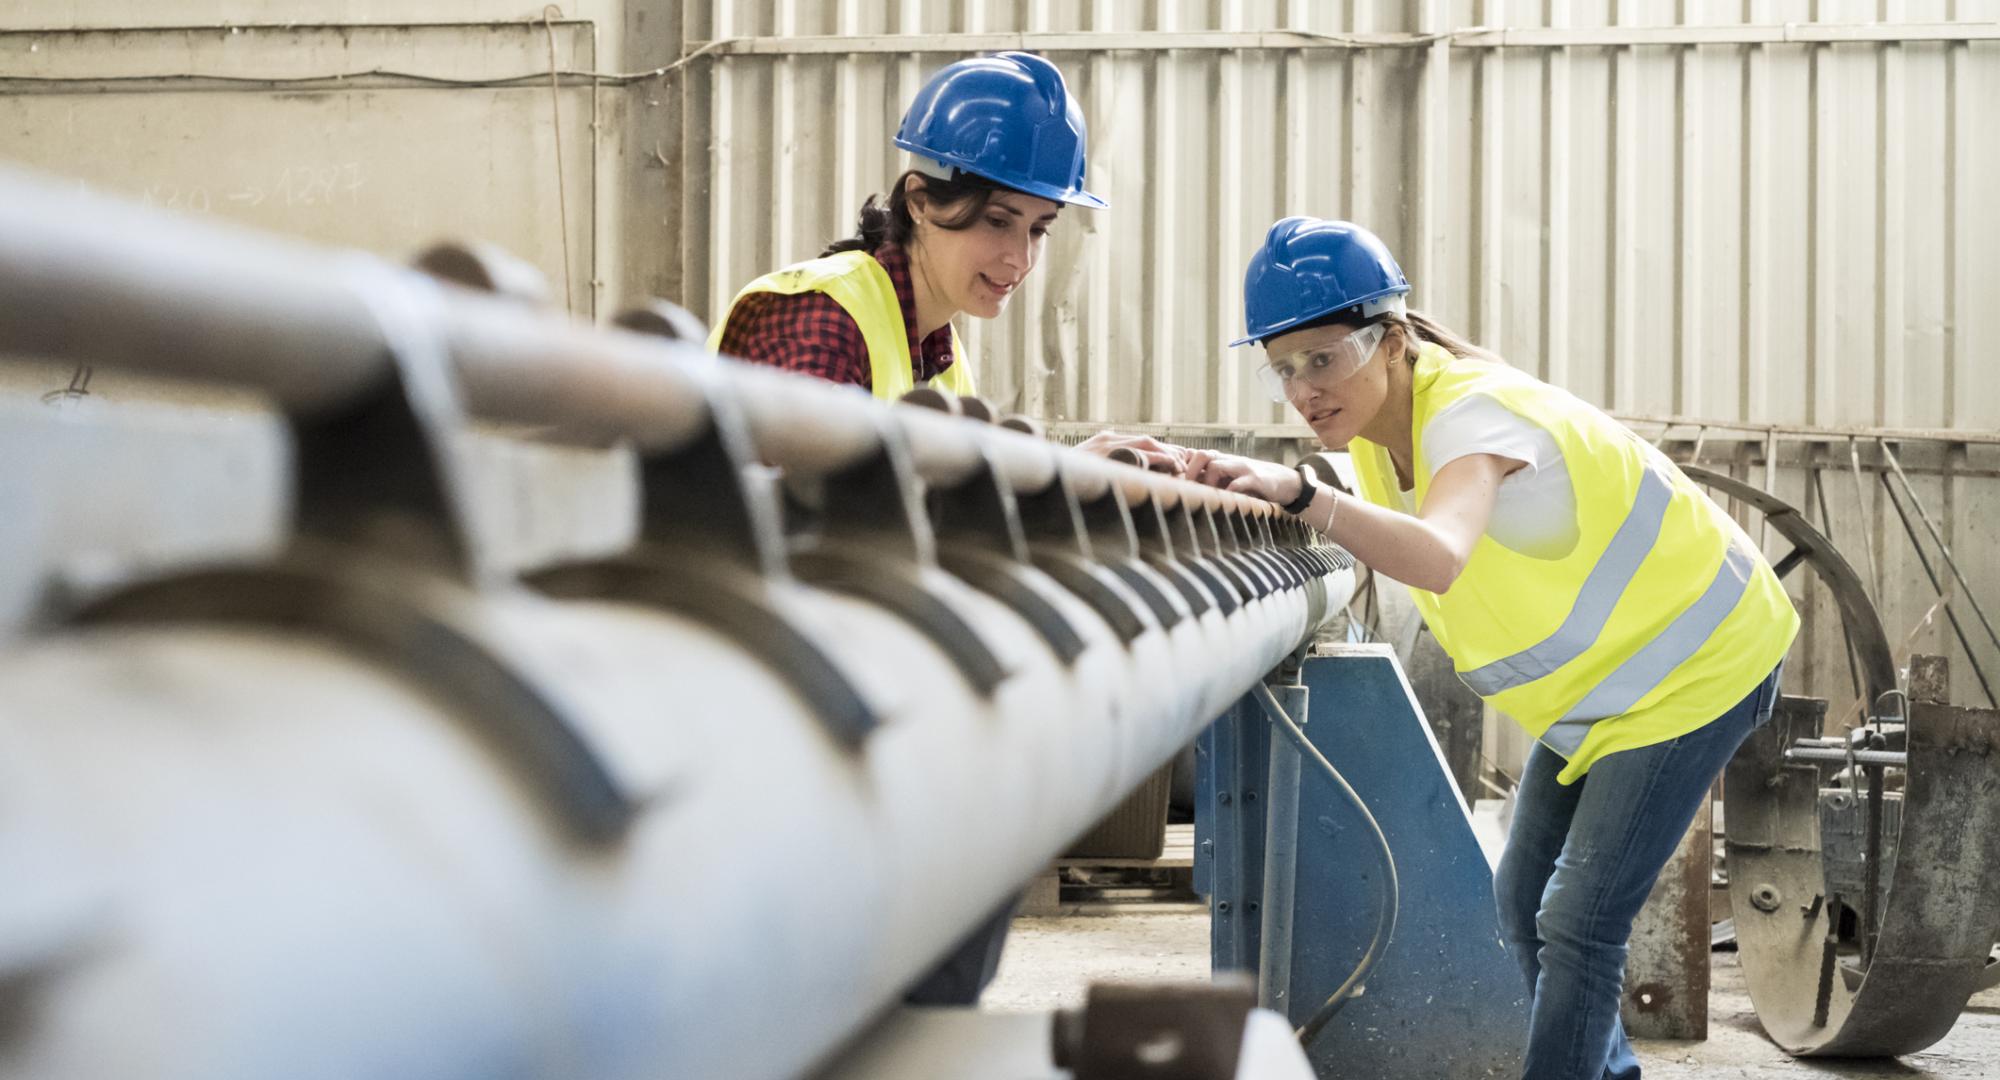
[{"x": 701, "y": 809}]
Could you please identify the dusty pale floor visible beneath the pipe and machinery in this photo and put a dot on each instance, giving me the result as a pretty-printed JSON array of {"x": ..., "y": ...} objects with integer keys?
[{"x": 1051, "y": 961}]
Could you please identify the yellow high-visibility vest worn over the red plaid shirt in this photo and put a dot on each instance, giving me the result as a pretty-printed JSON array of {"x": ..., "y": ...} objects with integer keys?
[{"x": 863, "y": 289}]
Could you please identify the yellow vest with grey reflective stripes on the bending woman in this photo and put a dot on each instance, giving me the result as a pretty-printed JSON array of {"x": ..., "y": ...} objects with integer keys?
[{"x": 1661, "y": 619}]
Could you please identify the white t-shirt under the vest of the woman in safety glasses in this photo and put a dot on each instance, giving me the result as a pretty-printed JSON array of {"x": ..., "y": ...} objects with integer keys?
[{"x": 1535, "y": 511}]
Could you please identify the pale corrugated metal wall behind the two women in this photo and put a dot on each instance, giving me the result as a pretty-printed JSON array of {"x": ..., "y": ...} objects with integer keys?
[{"x": 1753, "y": 211}]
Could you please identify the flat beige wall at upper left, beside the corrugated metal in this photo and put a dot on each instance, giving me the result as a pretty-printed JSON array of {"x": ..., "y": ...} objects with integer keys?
[{"x": 367, "y": 123}]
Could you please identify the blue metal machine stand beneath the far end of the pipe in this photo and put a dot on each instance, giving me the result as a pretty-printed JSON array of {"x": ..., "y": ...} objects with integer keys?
[{"x": 1295, "y": 879}]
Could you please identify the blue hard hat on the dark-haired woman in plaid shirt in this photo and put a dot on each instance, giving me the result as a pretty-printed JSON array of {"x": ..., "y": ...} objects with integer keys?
[{"x": 1009, "y": 119}]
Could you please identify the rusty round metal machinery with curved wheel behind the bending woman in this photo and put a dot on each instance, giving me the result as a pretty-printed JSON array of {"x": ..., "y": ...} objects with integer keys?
[{"x": 1865, "y": 865}]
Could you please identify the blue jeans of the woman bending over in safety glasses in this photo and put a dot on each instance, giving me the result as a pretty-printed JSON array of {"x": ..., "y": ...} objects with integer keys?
[{"x": 1577, "y": 869}]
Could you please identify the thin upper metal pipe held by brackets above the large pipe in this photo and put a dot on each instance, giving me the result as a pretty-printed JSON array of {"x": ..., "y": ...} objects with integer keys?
[{"x": 313, "y": 329}]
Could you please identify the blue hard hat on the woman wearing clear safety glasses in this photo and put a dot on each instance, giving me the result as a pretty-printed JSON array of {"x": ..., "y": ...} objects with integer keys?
[{"x": 1311, "y": 269}]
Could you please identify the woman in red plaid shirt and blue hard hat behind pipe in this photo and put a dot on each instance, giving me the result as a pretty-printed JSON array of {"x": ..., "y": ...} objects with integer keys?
[{"x": 997, "y": 149}]
